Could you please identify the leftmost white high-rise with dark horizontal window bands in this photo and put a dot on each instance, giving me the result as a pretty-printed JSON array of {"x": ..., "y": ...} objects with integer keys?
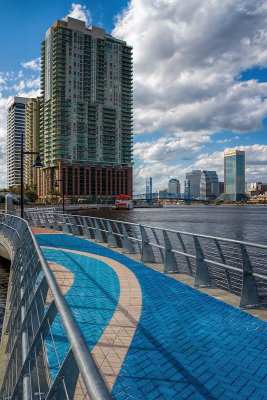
[{"x": 15, "y": 138}]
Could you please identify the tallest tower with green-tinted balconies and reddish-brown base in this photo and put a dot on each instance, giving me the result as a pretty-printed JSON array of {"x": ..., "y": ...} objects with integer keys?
[{"x": 86, "y": 117}]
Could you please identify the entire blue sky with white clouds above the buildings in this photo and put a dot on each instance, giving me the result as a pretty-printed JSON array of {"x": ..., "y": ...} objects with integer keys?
[{"x": 200, "y": 77}]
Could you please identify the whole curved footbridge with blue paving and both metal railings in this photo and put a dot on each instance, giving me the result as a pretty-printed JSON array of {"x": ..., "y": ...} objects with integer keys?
[{"x": 105, "y": 309}]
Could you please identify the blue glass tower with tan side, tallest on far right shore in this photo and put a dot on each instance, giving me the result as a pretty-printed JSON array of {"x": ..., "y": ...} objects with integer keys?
[{"x": 234, "y": 175}]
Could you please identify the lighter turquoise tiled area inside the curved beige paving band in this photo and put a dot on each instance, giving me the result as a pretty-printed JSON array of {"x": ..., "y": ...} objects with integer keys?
[{"x": 92, "y": 301}]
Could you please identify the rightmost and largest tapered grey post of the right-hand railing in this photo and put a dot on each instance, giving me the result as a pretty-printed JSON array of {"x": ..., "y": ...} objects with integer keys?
[{"x": 249, "y": 295}]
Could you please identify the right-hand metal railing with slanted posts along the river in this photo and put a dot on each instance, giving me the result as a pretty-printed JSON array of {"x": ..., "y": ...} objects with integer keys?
[{"x": 236, "y": 266}]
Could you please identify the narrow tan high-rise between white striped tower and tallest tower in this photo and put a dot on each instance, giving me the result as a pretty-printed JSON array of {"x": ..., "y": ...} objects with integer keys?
[{"x": 32, "y": 127}]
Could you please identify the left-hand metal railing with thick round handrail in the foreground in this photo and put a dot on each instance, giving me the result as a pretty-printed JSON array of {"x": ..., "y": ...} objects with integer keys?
[{"x": 45, "y": 349}]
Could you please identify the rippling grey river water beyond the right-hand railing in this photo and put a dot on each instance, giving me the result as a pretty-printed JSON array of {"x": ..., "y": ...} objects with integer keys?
[{"x": 246, "y": 223}]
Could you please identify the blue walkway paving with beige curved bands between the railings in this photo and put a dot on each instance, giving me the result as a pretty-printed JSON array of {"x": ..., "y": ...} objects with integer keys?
[{"x": 151, "y": 336}]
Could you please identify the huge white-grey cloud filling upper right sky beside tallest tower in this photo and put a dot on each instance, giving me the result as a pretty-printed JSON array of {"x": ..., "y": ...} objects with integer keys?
[{"x": 187, "y": 60}]
